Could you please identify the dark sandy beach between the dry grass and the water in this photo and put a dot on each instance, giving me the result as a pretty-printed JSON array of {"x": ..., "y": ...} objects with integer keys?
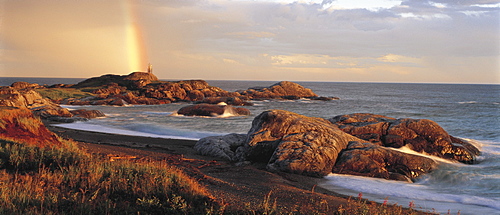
[{"x": 238, "y": 186}]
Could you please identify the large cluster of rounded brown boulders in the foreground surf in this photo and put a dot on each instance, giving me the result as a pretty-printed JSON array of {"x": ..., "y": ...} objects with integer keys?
[{"x": 294, "y": 143}]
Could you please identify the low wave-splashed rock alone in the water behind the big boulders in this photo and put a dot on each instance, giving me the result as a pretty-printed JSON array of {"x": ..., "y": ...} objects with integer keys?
[{"x": 212, "y": 110}]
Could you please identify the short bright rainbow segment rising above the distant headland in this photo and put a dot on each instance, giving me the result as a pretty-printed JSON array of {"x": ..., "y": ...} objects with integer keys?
[{"x": 136, "y": 51}]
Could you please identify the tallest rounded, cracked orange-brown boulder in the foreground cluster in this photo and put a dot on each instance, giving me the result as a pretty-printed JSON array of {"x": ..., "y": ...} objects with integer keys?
[{"x": 294, "y": 143}]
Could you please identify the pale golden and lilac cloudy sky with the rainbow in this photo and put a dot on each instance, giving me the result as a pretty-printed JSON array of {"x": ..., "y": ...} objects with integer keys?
[{"x": 407, "y": 41}]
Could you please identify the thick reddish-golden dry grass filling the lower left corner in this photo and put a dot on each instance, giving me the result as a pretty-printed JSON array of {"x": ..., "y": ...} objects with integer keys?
[{"x": 37, "y": 180}]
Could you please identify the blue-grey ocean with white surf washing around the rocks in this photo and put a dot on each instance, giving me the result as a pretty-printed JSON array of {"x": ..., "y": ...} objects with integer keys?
[{"x": 467, "y": 111}]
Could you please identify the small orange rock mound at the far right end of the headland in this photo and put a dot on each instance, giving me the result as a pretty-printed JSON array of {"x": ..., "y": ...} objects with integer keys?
[{"x": 281, "y": 90}]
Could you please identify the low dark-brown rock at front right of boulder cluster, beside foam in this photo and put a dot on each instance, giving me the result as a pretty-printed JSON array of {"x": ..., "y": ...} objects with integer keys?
[{"x": 368, "y": 159}]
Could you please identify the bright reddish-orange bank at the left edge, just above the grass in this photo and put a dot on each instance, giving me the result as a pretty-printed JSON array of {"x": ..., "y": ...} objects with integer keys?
[{"x": 20, "y": 125}]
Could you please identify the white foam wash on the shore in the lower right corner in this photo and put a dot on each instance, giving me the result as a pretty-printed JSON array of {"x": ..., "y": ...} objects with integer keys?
[{"x": 402, "y": 193}]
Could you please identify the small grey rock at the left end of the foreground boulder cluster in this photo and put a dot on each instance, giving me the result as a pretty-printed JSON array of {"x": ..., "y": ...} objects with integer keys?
[{"x": 221, "y": 146}]
